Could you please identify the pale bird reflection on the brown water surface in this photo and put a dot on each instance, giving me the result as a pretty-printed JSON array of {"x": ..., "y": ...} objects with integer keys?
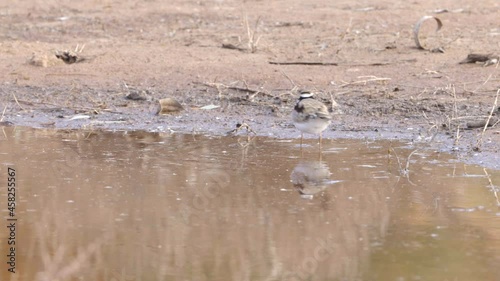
[{"x": 311, "y": 177}]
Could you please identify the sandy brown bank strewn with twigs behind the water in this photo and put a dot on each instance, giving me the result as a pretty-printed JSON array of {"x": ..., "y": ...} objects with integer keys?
[{"x": 247, "y": 58}]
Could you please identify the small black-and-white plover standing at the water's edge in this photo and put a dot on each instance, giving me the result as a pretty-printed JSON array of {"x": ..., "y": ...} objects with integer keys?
[{"x": 310, "y": 116}]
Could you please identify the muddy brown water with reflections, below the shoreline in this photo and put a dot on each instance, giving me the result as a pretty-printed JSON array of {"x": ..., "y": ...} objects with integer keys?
[{"x": 147, "y": 206}]
